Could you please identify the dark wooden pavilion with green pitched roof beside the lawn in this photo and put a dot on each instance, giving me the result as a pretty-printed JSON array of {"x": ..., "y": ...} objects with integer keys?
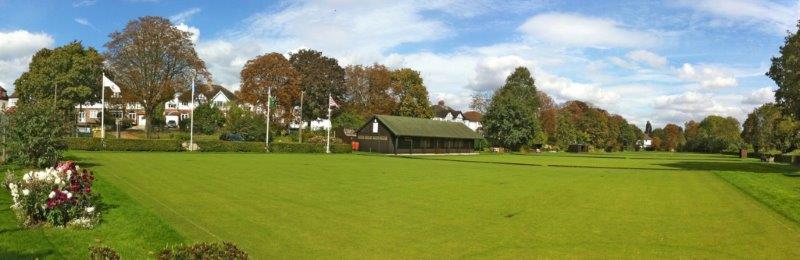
[{"x": 408, "y": 135}]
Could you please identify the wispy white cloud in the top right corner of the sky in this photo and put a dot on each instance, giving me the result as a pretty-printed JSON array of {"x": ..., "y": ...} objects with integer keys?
[{"x": 777, "y": 17}]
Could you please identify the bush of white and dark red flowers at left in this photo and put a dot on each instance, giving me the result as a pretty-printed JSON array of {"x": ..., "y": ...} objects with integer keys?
[{"x": 59, "y": 196}]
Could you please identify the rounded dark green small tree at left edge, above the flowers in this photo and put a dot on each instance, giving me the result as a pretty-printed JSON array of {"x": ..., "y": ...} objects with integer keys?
[{"x": 34, "y": 134}]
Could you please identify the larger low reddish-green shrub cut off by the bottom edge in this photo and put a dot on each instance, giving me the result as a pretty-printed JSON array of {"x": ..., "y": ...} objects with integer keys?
[{"x": 225, "y": 250}]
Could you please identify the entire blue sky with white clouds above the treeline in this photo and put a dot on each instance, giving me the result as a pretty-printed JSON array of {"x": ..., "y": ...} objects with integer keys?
[{"x": 658, "y": 61}]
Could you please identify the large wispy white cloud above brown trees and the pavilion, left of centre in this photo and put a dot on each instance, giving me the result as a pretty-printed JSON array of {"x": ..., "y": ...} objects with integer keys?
[{"x": 354, "y": 33}]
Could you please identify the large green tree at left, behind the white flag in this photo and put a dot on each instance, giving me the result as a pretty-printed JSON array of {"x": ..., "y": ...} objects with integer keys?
[{"x": 70, "y": 75}]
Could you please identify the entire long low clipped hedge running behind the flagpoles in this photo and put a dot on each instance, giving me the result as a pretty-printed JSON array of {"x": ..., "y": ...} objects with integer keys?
[{"x": 95, "y": 144}]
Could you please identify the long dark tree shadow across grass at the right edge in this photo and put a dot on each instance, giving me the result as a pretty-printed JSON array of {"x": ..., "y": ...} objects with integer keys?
[{"x": 753, "y": 167}]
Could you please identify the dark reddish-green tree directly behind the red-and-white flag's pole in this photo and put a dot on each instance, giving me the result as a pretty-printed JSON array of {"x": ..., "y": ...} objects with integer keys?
[{"x": 320, "y": 76}]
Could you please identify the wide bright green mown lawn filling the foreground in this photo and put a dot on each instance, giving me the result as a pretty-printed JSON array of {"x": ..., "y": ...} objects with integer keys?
[{"x": 370, "y": 206}]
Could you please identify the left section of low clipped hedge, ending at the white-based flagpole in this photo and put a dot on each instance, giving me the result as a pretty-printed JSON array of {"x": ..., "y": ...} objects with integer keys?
[{"x": 151, "y": 145}]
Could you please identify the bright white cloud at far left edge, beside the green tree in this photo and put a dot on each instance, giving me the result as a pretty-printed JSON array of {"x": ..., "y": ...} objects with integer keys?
[{"x": 16, "y": 49}]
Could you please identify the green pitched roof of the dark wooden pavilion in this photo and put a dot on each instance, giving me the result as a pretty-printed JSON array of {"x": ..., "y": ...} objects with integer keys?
[{"x": 411, "y": 126}]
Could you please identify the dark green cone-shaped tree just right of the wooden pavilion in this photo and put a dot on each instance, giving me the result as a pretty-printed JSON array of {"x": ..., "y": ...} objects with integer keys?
[{"x": 512, "y": 117}]
